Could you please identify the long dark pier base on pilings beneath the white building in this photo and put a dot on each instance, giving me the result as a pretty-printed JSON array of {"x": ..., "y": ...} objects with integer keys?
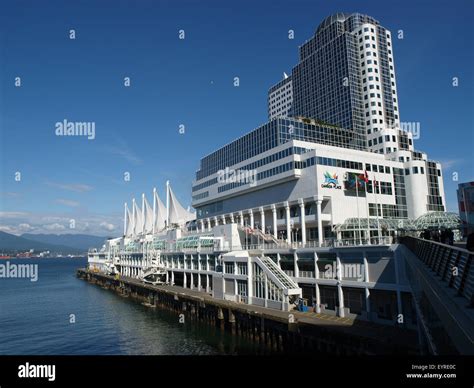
[{"x": 274, "y": 330}]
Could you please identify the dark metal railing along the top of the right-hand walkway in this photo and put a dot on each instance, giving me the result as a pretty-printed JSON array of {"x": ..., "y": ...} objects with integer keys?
[{"x": 452, "y": 264}]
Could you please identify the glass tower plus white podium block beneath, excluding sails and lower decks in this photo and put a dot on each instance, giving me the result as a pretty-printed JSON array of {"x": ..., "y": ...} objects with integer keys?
[{"x": 335, "y": 117}]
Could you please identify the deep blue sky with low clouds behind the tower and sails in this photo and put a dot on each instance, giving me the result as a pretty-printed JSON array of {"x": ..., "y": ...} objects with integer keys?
[{"x": 188, "y": 82}]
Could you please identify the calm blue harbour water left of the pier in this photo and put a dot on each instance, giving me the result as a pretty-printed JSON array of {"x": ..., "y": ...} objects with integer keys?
[{"x": 35, "y": 319}]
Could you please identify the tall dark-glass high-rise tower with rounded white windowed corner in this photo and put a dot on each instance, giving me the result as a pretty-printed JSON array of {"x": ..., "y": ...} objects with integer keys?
[{"x": 346, "y": 76}]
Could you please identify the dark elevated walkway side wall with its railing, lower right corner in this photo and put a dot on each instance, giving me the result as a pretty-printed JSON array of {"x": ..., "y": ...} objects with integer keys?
[{"x": 441, "y": 279}]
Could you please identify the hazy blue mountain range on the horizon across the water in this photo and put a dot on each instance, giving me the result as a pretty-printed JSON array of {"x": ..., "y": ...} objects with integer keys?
[{"x": 64, "y": 244}]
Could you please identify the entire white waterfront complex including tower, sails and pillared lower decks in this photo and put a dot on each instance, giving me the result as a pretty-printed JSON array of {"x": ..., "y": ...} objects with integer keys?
[{"x": 306, "y": 205}]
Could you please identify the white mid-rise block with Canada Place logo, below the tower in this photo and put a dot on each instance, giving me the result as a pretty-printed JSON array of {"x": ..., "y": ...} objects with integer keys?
[{"x": 293, "y": 174}]
